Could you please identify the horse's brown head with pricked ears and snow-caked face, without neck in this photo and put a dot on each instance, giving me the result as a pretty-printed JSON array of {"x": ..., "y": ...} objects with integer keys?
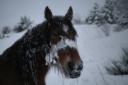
[{"x": 63, "y": 43}]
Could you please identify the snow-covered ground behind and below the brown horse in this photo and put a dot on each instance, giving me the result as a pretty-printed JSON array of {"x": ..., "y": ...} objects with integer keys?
[{"x": 96, "y": 51}]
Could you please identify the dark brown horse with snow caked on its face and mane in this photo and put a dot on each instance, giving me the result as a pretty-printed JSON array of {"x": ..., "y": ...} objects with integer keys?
[{"x": 50, "y": 43}]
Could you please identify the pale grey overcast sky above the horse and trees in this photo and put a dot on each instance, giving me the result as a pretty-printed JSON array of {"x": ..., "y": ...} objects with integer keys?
[{"x": 12, "y": 10}]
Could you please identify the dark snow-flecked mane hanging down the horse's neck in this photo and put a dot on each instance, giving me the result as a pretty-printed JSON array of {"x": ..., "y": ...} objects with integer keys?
[{"x": 36, "y": 47}]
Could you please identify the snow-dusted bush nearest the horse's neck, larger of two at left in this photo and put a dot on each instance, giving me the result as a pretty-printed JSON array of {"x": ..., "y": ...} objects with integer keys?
[{"x": 24, "y": 24}]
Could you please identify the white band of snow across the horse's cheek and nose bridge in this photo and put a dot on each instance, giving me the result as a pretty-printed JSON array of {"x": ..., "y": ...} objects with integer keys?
[{"x": 60, "y": 45}]
